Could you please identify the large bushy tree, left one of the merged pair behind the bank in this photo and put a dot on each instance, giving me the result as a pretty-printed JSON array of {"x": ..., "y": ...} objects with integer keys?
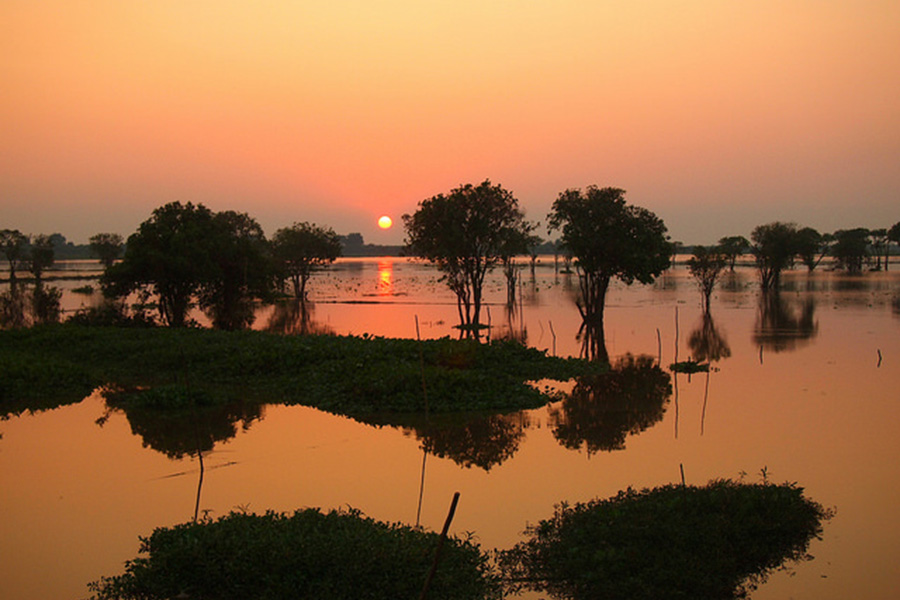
[{"x": 169, "y": 256}]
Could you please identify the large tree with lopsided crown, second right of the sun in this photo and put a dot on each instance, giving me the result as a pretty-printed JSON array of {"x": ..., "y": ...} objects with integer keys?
[{"x": 608, "y": 238}]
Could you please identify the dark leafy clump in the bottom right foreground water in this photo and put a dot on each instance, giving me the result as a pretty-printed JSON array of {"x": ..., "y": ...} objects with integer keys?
[{"x": 716, "y": 541}]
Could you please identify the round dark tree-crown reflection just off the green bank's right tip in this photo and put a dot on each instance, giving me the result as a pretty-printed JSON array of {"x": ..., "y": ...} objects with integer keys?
[{"x": 604, "y": 409}]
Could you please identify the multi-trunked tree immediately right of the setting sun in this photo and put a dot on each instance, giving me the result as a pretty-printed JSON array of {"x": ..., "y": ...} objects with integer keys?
[{"x": 464, "y": 234}]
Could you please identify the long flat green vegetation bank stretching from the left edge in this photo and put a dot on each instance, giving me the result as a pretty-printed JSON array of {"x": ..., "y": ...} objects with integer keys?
[{"x": 51, "y": 365}]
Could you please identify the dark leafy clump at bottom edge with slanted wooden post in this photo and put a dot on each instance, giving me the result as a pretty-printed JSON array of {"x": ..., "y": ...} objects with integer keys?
[{"x": 309, "y": 554}]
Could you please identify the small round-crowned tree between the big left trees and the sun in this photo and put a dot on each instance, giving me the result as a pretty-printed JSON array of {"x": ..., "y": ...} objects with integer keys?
[{"x": 301, "y": 249}]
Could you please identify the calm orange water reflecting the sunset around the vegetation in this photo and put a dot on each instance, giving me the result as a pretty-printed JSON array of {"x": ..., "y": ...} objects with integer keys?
[{"x": 797, "y": 390}]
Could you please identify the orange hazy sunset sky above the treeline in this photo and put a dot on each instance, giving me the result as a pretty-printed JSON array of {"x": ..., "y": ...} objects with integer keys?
[{"x": 718, "y": 116}]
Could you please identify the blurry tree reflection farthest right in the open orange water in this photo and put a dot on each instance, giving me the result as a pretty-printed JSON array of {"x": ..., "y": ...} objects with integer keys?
[{"x": 779, "y": 327}]
